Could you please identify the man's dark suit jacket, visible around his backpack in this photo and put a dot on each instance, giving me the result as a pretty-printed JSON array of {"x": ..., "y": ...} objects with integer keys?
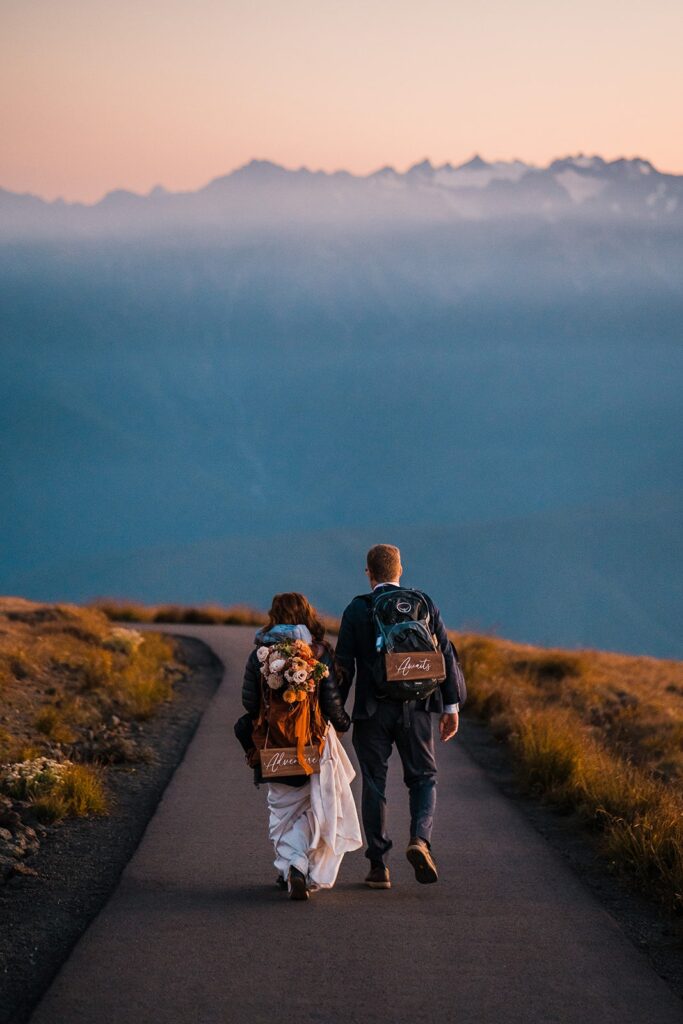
[{"x": 356, "y": 654}]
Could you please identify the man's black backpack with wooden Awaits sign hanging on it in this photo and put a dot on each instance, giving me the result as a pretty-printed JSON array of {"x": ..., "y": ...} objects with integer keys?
[{"x": 409, "y": 664}]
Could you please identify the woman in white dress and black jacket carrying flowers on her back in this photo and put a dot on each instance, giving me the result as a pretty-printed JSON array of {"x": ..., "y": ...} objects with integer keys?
[{"x": 291, "y": 693}]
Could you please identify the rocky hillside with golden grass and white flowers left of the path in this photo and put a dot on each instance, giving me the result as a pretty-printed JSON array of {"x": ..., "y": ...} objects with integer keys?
[{"x": 72, "y": 688}]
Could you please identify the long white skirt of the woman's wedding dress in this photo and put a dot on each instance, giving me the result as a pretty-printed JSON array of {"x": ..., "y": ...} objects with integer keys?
[{"x": 314, "y": 826}]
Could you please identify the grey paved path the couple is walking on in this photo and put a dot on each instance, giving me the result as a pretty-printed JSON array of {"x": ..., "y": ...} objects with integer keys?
[{"x": 197, "y": 933}]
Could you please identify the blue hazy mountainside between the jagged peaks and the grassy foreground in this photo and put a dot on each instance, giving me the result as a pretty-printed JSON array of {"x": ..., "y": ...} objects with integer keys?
[{"x": 218, "y": 414}]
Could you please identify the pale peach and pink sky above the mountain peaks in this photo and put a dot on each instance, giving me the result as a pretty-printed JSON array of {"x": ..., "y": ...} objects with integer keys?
[{"x": 100, "y": 95}]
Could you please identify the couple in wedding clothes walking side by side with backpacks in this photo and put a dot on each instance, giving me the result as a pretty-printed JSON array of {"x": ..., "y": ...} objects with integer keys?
[{"x": 295, "y": 690}]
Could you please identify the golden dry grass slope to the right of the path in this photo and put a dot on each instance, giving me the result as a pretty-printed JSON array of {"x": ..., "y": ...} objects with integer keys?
[{"x": 596, "y": 734}]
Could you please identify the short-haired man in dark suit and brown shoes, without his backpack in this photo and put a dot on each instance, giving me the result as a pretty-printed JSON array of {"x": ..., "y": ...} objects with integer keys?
[{"x": 381, "y": 723}]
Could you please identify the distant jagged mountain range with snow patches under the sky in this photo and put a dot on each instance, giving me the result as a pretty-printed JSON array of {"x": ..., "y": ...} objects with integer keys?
[{"x": 264, "y": 193}]
